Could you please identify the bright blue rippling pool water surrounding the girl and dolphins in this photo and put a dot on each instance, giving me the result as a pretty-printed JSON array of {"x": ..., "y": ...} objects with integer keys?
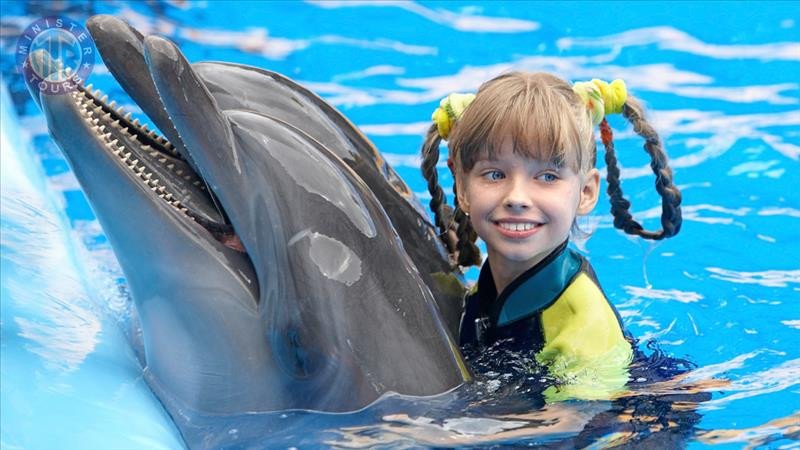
[{"x": 720, "y": 83}]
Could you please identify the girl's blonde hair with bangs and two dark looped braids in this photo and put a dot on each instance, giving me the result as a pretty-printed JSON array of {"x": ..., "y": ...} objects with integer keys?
[{"x": 546, "y": 120}]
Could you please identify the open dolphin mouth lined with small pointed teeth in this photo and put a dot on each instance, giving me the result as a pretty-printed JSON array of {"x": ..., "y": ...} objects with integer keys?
[{"x": 155, "y": 162}]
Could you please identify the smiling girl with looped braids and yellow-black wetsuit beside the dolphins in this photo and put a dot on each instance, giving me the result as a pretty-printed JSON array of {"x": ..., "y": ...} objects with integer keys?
[{"x": 522, "y": 152}]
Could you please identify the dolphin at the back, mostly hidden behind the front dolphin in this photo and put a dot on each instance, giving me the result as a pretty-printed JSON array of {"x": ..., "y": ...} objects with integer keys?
[{"x": 239, "y": 87}]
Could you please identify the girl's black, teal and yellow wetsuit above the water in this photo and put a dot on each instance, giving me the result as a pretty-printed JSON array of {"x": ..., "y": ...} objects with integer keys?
[{"x": 558, "y": 310}]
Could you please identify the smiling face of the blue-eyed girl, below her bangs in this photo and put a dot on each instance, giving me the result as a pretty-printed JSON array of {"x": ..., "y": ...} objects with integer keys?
[{"x": 523, "y": 208}]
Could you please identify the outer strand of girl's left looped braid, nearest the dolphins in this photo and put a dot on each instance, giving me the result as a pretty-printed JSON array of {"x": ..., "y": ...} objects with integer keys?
[{"x": 442, "y": 214}]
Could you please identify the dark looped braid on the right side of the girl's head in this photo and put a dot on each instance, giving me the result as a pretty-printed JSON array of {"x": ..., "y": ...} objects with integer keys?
[{"x": 670, "y": 195}]
